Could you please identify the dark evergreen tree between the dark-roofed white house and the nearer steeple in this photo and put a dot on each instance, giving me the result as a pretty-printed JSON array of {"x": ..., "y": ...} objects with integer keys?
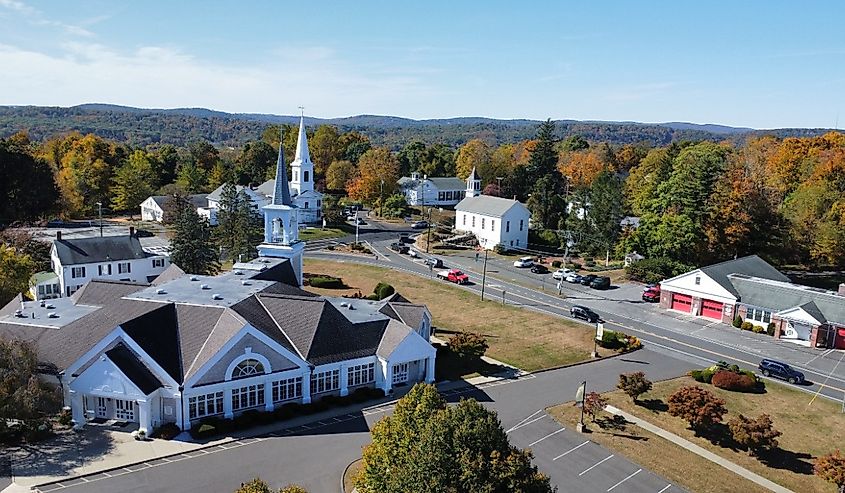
[{"x": 193, "y": 248}]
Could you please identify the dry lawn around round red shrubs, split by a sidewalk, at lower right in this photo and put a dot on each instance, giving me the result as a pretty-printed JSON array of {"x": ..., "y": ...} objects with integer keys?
[{"x": 808, "y": 432}]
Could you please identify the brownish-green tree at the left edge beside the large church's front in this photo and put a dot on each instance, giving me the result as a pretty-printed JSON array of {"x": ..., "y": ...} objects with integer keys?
[{"x": 23, "y": 395}]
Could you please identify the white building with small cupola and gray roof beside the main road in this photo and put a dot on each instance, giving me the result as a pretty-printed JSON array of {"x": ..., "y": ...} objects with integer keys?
[{"x": 493, "y": 220}]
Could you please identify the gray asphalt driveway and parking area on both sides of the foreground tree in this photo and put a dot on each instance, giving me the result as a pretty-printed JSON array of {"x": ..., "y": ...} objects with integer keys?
[{"x": 316, "y": 458}]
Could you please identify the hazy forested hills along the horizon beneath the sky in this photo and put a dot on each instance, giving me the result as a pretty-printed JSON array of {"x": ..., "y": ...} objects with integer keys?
[{"x": 178, "y": 126}]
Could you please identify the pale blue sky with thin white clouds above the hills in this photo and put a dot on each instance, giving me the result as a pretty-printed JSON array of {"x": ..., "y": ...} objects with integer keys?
[{"x": 744, "y": 63}]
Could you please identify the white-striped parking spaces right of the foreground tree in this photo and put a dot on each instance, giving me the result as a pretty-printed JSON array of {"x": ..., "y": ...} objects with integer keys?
[{"x": 579, "y": 465}]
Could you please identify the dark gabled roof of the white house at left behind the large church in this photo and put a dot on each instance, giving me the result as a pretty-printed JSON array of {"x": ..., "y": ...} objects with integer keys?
[{"x": 98, "y": 249}]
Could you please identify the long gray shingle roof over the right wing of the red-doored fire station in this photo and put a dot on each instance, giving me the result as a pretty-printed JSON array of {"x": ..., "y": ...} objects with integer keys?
[{"x": 778, "y": 296}]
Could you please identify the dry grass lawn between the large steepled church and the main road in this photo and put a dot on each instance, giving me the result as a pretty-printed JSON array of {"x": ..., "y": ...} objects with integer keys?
[{"x": 519, "y": 337}]
